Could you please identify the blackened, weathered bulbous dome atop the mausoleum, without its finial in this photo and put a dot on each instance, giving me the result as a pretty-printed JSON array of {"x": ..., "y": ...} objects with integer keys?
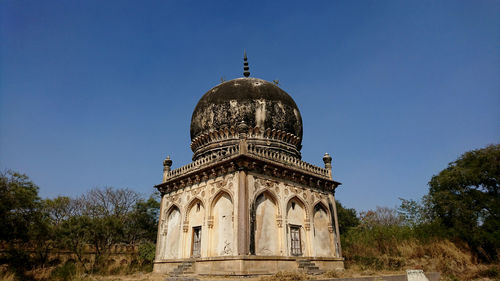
[{"x": 271, "y": 116}]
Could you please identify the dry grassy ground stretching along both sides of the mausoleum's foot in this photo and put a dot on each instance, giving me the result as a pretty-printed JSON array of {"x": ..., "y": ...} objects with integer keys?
[{"x": 454, "y": 262}]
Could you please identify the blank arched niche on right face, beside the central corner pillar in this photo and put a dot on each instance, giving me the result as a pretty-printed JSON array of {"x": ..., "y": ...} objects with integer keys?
[{"x": 264, "y": 227}]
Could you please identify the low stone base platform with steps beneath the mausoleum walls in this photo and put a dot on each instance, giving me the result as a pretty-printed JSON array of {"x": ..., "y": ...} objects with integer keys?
[{"x": 245, "y": 265}]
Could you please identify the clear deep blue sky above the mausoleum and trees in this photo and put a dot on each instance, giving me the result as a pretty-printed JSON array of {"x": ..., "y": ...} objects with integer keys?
[{"x": 97, "y": 93}]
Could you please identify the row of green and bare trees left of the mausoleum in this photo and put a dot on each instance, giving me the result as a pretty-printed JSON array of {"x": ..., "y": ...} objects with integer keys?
[{"x": 97, "y": 220}]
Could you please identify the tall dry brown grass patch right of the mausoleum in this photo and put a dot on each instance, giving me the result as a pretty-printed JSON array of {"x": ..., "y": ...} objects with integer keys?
[{"x": 454, "y": 261}]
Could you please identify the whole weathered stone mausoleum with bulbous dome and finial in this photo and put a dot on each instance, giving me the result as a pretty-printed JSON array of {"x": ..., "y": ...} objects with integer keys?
[{"x": 247, "y": 203}]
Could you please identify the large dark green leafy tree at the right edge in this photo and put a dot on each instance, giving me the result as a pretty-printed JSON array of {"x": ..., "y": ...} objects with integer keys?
[{"x": 465, "y": 198}]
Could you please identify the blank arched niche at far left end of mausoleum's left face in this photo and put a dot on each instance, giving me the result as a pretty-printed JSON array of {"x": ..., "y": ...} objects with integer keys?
[{"x": 172, "y": 233}]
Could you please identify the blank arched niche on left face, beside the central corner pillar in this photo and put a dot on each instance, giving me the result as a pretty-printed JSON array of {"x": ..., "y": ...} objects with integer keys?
[{"x": 223, "y": 225}]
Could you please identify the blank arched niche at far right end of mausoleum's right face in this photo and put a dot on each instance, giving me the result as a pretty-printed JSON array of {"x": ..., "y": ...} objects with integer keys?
[{"x": 322, "y": 237}]
